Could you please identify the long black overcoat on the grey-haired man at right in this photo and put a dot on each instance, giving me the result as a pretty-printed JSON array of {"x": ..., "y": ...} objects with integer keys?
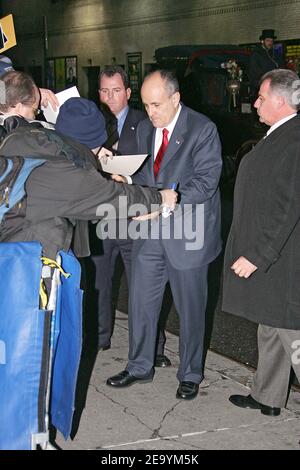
[{"x": 266, "y": 230}]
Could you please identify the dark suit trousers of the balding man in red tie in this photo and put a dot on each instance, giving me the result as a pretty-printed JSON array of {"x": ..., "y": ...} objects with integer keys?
[{"x": 150, "y": 272}]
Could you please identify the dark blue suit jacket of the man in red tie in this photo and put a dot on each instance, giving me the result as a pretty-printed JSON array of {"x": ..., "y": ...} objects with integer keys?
[{"x": 193, "y": 161}]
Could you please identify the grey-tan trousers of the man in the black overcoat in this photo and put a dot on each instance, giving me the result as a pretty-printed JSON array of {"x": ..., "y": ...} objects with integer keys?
[{"x": 279, "y": 350}]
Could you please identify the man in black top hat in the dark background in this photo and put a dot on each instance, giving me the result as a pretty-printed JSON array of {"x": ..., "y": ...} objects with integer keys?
[{"x": 262, "y": 60}]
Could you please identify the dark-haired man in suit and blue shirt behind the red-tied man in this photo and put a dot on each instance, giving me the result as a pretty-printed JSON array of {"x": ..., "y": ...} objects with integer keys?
[{"x": 121, "y": 124}]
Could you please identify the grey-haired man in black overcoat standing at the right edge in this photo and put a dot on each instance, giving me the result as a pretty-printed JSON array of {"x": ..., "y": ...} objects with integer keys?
[{"x": 262, "y": 261}]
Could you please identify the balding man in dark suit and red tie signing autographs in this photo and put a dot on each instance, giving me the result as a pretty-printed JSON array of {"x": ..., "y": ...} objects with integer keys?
[{"x": 186, "y": 154}]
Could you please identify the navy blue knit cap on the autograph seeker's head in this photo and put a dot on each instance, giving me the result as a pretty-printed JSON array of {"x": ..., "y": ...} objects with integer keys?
[{"x": 81, "y": 119}]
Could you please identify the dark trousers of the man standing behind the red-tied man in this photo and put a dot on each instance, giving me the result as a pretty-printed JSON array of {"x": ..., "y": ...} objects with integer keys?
[{"x": 104, "y": 271}]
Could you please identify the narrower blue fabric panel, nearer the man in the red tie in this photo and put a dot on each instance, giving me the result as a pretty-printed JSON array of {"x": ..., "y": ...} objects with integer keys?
[{"x": 68, "y": 341}]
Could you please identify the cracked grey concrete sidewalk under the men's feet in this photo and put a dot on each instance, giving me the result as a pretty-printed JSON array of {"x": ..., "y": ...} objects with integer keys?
[{"x": 148, "y": 416}]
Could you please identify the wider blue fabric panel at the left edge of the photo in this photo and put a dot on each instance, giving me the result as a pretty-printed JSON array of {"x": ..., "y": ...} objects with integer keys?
[{"x": 21, "y": 339}]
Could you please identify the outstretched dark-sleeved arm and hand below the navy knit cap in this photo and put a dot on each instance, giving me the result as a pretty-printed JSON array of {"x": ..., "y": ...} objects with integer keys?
[{"x": 59, "y": 189}]
